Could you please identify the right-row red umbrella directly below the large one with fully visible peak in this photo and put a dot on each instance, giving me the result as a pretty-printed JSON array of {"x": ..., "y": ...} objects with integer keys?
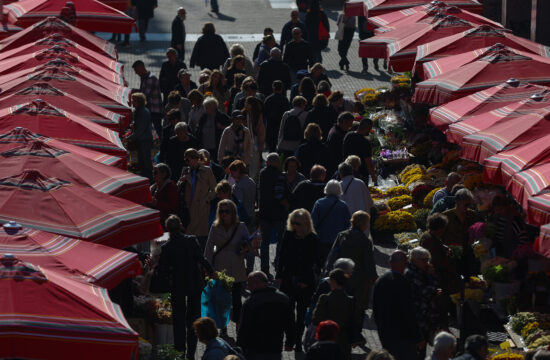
[{"x": 482, "y": 101}]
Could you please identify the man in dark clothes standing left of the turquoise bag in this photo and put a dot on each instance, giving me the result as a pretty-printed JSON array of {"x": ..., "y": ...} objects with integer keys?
[{"x": 182, "y": 259}]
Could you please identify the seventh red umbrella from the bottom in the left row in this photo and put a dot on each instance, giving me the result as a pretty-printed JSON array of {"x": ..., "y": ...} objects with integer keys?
[{"x": 64, "y": 100}]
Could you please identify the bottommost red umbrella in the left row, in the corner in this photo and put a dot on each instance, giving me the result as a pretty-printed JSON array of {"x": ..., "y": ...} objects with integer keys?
[{"x": 73, "y": 317}]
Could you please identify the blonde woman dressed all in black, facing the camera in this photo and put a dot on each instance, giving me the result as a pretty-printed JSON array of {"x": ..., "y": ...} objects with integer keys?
[{"x": 297, "y": 268}]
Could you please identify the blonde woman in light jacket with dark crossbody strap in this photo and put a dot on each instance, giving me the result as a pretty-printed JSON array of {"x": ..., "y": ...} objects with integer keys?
[{"x": 228, "y": 235}]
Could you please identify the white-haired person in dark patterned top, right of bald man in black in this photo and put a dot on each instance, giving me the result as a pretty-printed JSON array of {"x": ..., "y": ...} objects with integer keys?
[{"x": 424, "y": 291}]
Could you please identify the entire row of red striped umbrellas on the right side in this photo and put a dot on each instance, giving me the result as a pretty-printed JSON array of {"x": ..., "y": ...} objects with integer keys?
[{"x": 489, "y": 86}]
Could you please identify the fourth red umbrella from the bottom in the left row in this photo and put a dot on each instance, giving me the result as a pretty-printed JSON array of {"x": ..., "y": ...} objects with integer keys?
[{"x": 74, "y": 168}]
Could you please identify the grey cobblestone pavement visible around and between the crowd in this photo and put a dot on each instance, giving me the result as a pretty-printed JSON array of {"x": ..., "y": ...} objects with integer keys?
[{"x": 243, "y": 21}]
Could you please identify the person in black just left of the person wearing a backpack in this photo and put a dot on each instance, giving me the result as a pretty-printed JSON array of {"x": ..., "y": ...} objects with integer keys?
[{"x": 275, "y": 106}]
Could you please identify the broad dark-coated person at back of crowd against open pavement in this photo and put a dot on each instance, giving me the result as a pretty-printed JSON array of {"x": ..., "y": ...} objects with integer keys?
[{"x": 210, "y": 50}]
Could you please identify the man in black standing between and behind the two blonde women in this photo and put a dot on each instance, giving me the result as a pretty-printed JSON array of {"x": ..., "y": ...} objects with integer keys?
[{"x": 273, "y": 205}]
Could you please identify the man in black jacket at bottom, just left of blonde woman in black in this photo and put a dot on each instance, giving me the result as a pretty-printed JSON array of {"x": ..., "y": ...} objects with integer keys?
[{"x": 265, "y": 317}]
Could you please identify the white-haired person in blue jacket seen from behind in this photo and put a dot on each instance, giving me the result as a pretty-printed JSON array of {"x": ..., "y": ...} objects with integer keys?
[{"x": 330, "y": 216}]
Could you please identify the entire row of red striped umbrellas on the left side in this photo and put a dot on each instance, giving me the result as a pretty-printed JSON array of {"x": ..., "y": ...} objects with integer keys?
[{"x": 67, "y": 204}]
